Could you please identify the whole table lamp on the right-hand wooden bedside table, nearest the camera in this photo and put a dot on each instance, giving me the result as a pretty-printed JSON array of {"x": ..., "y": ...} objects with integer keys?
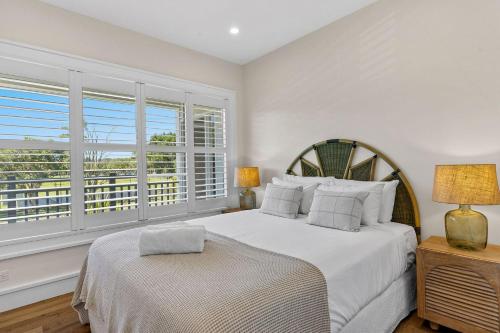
[{"x": 465, "y": 185}]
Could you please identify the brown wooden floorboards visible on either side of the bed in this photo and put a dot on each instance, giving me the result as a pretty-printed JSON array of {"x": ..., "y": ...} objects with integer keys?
[{"x": 56, "y": 315}]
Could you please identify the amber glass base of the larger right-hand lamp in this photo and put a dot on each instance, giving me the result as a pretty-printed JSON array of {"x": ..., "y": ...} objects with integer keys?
[{"x": 466, "y": 228}]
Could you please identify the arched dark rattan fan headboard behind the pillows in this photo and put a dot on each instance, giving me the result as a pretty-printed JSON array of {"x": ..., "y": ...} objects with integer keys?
[{"x": 335, "y": 158}]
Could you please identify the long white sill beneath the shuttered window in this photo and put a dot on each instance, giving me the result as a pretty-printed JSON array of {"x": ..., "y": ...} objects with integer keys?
[{"x": 85, "y": 237}]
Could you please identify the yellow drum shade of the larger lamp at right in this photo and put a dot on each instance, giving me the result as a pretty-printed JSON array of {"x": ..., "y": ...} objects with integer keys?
[{"x": 466, "y": 184}]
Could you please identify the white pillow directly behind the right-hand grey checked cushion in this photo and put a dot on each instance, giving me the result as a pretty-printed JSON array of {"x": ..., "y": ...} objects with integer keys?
[{"x": 372, "y": 204}]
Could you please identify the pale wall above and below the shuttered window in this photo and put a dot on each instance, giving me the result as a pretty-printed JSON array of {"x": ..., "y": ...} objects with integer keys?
[{"x": 38, "y": 24}]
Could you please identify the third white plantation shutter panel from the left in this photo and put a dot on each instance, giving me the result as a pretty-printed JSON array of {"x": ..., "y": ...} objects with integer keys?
[{"x": 165, "y": 150}]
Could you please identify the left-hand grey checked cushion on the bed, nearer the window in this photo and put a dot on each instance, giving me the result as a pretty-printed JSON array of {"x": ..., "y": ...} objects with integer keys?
[{"x": 281, "y": 201}]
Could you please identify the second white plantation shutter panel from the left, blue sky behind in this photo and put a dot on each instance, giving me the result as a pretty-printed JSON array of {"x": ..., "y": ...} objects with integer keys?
[{"x": 110, "y": 151}]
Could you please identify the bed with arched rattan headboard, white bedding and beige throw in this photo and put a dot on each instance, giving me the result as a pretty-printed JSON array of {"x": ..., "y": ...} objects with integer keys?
[{"x": 369, "y": 276}]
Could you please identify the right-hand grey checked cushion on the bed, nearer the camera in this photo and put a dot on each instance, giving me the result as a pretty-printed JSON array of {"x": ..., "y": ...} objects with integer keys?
[{"x": 338, "y": 210}]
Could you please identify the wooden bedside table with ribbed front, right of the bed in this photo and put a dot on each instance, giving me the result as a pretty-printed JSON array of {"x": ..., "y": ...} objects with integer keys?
[{"x": 458, "y": 289}]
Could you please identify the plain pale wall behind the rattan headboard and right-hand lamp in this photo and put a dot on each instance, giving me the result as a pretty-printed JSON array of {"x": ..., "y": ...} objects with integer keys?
[{"x": 419, "y": 80}]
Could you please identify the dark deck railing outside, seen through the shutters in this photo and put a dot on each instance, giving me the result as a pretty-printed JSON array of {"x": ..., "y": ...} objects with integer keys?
[{"x": 52, "y": 198}]
